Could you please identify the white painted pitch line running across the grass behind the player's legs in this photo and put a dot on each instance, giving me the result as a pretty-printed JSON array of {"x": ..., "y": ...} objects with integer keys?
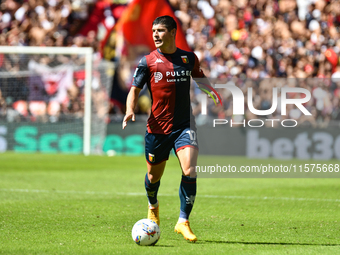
[{"x": 169, "y": 195}]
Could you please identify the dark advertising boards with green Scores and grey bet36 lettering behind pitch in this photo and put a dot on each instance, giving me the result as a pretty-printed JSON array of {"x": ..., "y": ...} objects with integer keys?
[{"x": 302, "y": 143}]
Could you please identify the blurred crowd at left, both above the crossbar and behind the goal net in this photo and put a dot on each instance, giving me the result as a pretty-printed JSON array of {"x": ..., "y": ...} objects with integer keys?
[{"x": 26, "y": 95}]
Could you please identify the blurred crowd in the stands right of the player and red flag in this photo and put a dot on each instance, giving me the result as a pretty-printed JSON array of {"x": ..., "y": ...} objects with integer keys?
[{"x": 251, "y": 42}]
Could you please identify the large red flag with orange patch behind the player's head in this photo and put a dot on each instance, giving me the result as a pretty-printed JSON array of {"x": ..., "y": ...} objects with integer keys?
[{"x": 136, "y": 23}]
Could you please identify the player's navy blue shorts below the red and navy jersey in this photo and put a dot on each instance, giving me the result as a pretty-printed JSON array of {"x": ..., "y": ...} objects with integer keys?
[{"x": 158, "y": 146}]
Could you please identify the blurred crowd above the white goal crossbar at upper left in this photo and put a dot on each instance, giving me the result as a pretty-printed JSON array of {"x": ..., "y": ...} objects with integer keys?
[{"x": 45, "y": 23}]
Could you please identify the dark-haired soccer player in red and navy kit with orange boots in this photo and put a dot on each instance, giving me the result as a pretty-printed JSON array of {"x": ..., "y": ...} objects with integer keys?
[{"x": 167, "y": 71}]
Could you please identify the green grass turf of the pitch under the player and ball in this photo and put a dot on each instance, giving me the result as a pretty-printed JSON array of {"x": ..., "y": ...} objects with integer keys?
[{"x": 72, "y": 204}]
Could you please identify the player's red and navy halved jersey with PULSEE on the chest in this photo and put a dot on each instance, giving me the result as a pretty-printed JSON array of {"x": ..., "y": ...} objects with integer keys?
[{"x": 168, "y": 79}]
